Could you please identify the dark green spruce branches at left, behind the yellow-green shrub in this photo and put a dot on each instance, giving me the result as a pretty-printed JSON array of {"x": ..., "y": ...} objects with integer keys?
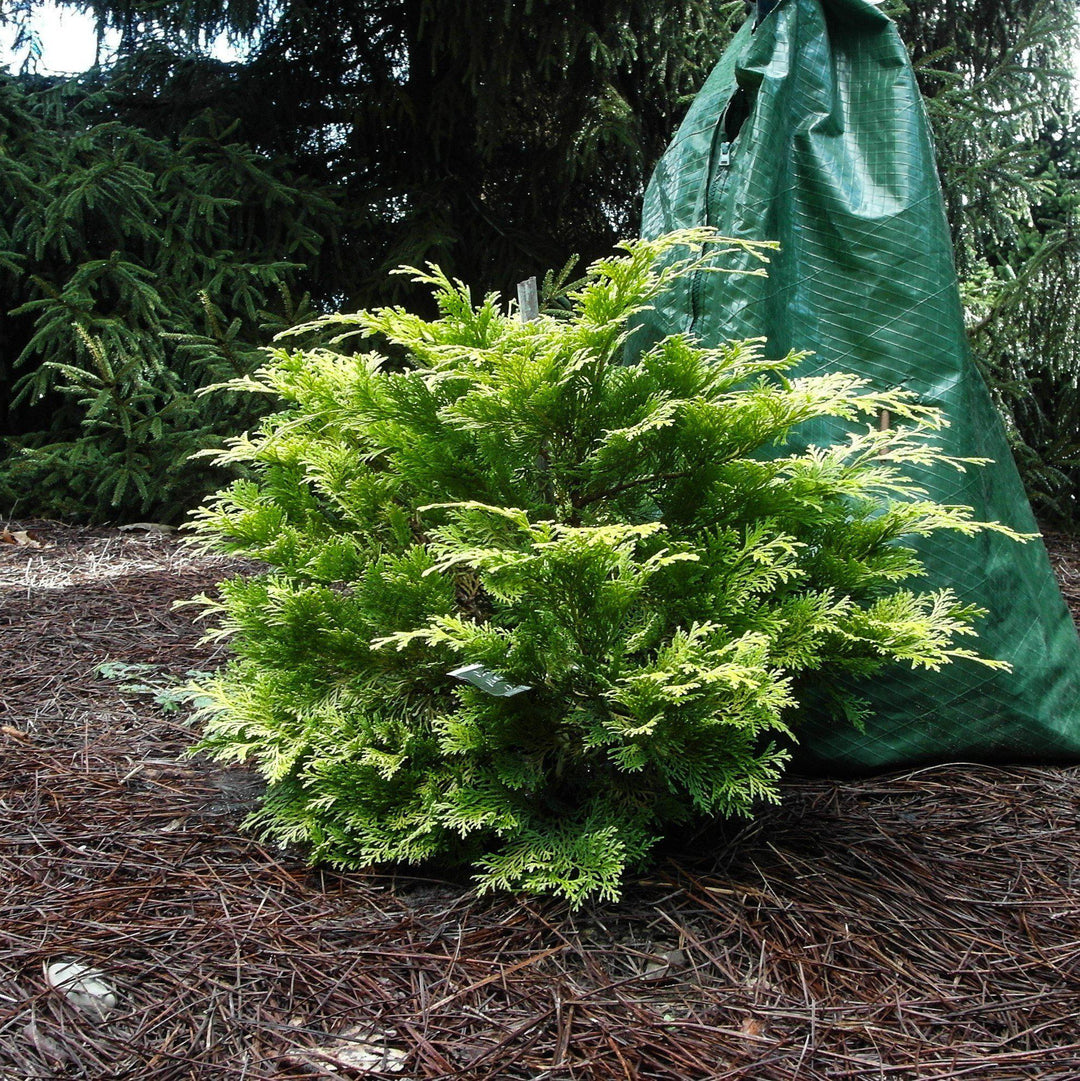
[{"x": 136, "y": 270}]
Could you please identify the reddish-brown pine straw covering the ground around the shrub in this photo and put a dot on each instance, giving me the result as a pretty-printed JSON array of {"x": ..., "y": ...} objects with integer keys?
[{"x": 919, "y": 926}]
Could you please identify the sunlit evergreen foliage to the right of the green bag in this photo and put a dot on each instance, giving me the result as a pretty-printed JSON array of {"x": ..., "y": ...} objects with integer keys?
[{"x": 999, "y": 78}]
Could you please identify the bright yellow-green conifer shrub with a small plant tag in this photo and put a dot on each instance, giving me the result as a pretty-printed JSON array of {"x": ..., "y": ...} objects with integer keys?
[{"x": 656, "y": 580}]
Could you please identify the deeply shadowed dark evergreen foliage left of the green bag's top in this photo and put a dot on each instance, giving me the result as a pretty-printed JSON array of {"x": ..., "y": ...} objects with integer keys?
[{"x": 494, "y": 139}]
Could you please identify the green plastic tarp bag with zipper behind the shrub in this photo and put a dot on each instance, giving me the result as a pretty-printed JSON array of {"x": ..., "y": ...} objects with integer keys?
[{"x": 812, "y": 132}]
